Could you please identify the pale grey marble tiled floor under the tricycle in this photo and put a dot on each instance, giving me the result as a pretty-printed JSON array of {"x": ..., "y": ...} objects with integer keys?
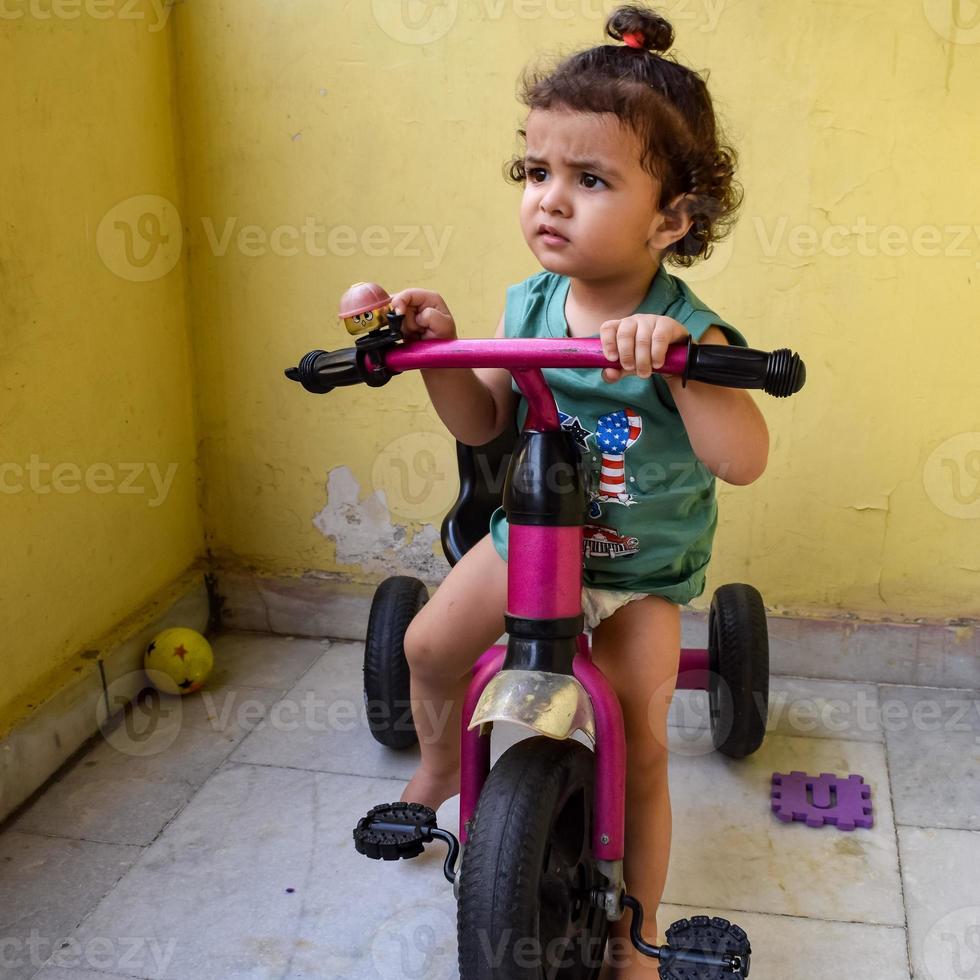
[{"x": 210, "y": 839}]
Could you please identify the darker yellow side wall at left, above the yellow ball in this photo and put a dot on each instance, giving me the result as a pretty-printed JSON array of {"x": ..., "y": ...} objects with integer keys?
[{"x": 95, "y": 372}]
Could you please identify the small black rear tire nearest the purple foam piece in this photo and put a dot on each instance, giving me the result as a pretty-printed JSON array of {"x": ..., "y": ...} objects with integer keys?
[{"x": 738, "y": 651}]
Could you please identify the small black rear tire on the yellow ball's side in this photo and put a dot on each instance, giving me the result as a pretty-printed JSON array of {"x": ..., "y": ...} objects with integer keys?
[{"x": 387, "y": 694}]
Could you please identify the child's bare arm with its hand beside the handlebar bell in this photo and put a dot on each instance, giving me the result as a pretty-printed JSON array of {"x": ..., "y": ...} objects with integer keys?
[{"x": 475, "y": 405}]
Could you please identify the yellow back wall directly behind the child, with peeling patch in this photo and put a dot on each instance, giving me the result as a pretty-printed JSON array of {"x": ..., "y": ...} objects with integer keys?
[{"x": 330, "y": 113}]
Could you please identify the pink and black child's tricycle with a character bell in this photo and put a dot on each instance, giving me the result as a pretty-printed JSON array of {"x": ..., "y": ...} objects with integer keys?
[{"x": 537, "y": 868}]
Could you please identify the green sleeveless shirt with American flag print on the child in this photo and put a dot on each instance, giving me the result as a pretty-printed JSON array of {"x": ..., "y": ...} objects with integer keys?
[{"x": 652, "y": 507}]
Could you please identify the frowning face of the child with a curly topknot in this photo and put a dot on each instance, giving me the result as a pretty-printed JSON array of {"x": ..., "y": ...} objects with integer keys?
[{"x": 606, "y": 209}]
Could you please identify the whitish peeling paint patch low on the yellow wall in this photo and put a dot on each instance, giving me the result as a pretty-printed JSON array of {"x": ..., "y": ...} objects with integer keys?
[{"x": 364, "y": 535}]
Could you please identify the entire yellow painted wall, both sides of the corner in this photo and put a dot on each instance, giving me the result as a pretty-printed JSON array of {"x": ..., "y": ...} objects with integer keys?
[{"x": 361, "y": 145}]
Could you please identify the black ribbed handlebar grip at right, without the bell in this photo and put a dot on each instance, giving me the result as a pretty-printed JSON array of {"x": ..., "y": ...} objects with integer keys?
[{"x": 780, "y": 373}]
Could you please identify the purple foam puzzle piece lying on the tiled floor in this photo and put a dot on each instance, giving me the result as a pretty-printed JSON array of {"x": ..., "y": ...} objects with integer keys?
[{"x": 797, "y": 796}]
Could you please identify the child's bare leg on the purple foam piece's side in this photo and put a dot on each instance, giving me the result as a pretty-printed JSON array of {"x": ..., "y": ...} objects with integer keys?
[{"x": 638, "y": 650}]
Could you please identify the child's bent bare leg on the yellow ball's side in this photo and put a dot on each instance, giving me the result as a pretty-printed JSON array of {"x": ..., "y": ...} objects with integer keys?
[{"x": 459, "y": 622}]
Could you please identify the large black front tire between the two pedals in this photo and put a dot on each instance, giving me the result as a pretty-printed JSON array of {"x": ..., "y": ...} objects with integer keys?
[{"x": 528, "y": 871}]
